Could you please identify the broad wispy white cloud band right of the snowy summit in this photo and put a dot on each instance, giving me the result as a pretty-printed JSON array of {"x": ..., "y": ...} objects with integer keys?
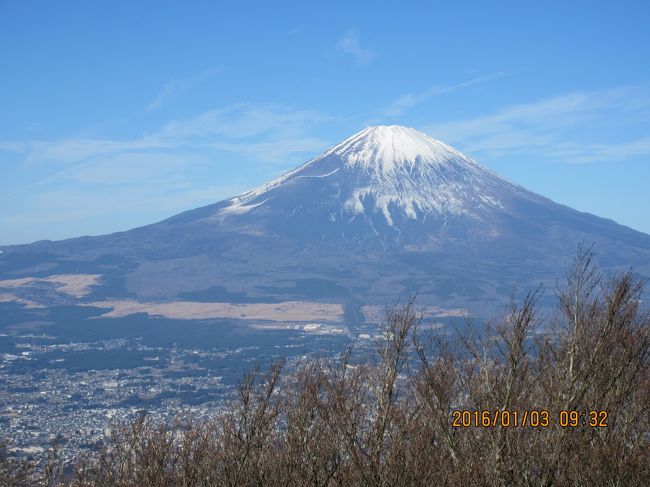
[{"x": 577, "y": 127}]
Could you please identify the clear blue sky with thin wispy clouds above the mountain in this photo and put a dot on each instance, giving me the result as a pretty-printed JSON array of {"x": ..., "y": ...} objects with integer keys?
[{"x": 118, "y": 114}]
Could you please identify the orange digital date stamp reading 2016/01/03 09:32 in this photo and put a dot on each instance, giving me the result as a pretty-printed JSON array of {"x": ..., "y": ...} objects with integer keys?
[{"x": 534, "y": 418}]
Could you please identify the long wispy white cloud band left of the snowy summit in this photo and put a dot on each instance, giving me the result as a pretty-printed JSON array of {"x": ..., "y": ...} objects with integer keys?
[{"x": 265, "y": 133}]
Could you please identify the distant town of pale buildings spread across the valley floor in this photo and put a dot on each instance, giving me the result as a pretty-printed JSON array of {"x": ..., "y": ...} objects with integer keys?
[{"x": 49, "y": 396}]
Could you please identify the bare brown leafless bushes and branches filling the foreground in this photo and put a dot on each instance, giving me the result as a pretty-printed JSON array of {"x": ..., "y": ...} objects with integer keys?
[{"x": 388, "y": 422}]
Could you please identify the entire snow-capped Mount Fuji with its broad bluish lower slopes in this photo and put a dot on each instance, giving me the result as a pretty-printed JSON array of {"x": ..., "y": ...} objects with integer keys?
[{"x": 385, "y": 213}]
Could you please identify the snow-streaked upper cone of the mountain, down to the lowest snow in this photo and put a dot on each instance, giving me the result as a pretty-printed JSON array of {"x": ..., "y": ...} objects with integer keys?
[{"x": 394, "y": 172}]
